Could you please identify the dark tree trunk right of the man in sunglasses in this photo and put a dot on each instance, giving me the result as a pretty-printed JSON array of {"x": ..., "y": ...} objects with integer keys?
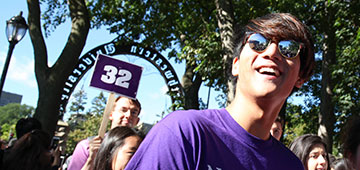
[{"x": 327, "y": 115}]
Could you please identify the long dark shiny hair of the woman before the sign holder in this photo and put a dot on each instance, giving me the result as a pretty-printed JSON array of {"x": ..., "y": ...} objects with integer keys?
[{"x": 113, "y": 140}]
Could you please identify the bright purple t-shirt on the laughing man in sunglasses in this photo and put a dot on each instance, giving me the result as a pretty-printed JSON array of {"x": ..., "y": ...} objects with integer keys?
[{"x": 210, "y": 140}]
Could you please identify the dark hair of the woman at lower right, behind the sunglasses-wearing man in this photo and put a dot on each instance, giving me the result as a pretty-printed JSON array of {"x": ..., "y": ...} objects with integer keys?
[{"x": 303, "y": 145}]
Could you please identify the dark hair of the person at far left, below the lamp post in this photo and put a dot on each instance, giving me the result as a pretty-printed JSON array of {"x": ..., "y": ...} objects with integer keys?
[{"x": 25, "y": 125}]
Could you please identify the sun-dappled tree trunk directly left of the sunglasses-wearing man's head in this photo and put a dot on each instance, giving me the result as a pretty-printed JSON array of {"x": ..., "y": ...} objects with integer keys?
[{"x": 225, "y": 19}]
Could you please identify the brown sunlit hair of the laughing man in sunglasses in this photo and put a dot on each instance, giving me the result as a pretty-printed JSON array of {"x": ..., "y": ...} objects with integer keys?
[{"x": 282, "y": 26}]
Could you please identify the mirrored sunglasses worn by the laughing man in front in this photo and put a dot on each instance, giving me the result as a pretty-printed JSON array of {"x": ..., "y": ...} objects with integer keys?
[{"x": 288, "y": 48}]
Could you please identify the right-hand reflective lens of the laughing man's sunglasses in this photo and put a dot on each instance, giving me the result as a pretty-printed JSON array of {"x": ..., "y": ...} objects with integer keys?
[{"x": 289, "y": 49}]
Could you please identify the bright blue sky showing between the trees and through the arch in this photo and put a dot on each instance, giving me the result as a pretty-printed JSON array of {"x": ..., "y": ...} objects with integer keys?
[{"x": 20, "y": 78}]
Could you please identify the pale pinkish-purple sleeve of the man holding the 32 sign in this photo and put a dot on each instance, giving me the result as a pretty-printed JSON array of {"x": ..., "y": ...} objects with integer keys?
[{"x": 80, "y": 155}]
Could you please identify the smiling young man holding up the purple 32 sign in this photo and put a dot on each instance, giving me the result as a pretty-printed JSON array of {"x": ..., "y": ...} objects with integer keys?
[{"x": 124, "y": 113}]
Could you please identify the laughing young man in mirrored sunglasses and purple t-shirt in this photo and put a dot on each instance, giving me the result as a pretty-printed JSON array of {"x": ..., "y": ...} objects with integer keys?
[{"x": 273, "y": 56}]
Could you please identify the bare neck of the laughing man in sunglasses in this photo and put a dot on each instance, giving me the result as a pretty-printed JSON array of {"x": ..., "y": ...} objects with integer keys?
[{"x": 255, "y": 116}]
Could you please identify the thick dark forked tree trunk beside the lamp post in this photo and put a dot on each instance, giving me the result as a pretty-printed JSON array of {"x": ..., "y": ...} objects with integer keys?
[{"x": 51, "y": 80}]
